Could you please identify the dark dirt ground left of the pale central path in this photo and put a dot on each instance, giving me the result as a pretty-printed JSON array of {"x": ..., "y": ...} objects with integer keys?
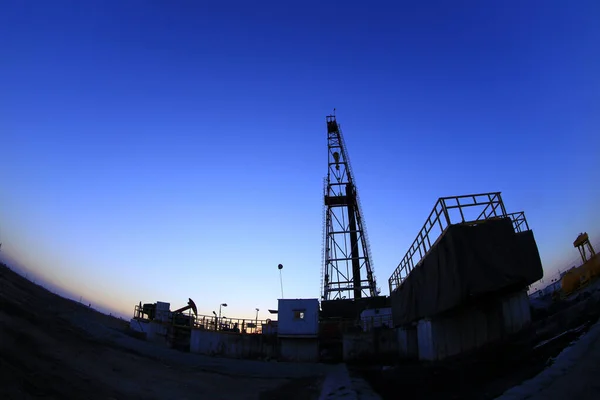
[{"x": 51, "y": 347}]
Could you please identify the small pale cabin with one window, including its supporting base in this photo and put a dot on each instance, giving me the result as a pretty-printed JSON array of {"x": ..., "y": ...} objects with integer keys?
[{"x": 298, "y": 329}]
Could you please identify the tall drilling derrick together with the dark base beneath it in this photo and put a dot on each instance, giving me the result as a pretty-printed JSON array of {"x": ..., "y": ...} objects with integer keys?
[{"x": 347, "y": 278}]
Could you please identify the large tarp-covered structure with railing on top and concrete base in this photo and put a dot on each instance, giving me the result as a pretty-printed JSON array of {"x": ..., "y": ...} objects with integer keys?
[{"x": 467, "y": 288}]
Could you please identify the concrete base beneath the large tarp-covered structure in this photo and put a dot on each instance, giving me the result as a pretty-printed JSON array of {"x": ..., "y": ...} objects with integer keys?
[{"x": 468, "y": 328}]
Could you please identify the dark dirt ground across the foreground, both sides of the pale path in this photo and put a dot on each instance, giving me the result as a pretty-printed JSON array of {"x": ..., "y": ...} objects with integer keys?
[{"x": 51, "y": 347}]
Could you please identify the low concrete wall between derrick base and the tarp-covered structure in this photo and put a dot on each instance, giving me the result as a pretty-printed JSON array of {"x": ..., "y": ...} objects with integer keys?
[{"x": 375, "y": 344}]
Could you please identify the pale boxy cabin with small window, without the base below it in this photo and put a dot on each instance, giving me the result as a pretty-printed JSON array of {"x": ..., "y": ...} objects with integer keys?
[{"x": 298, "y": 317}]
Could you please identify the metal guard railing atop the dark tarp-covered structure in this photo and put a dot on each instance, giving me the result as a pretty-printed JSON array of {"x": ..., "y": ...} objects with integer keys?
[{"x": 467, "y": 209}]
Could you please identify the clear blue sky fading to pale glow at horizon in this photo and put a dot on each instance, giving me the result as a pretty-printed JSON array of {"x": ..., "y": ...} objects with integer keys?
[{"x": 160, "y": 150}]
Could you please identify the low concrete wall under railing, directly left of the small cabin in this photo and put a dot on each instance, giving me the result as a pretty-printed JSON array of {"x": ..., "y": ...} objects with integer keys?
[{"x": 234, "y": 345}]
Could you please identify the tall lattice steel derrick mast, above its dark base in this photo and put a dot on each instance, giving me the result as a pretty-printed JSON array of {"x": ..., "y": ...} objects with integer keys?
[{"x": 347, "y": 271}]
